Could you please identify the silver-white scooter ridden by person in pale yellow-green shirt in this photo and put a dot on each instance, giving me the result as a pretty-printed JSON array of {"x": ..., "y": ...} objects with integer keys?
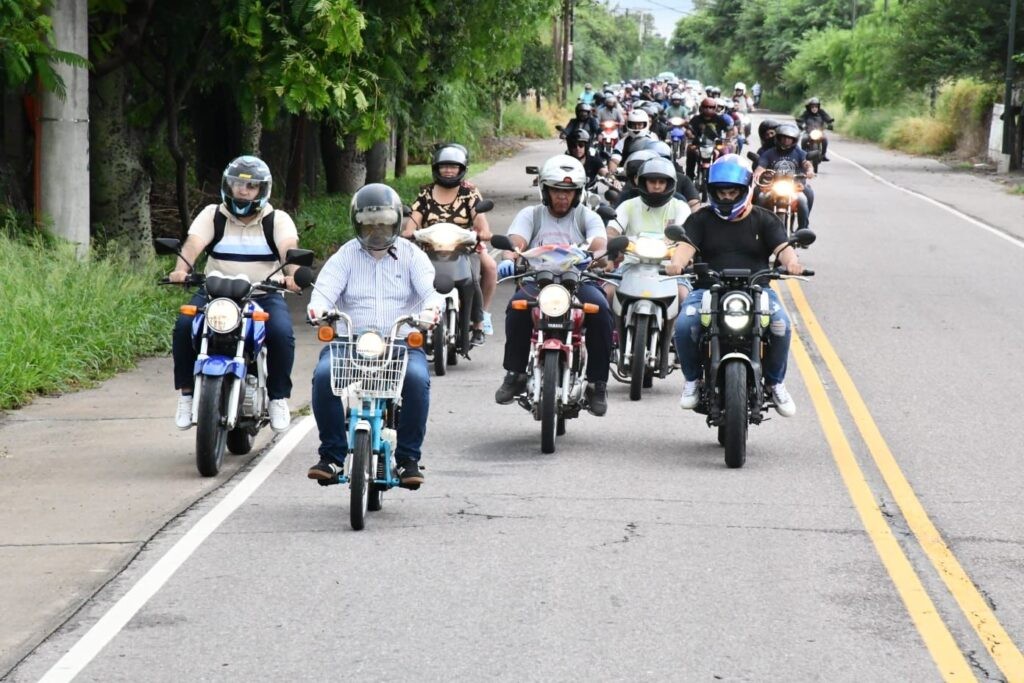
[{"x": 646, "y": 307}]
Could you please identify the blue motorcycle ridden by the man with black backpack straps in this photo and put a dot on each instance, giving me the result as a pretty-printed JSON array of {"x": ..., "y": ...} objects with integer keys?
[{"x": 231, "y": 403}]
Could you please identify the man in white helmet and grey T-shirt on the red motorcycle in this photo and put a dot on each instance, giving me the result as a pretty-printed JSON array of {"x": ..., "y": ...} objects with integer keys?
[{"x": 560, "y": 220}]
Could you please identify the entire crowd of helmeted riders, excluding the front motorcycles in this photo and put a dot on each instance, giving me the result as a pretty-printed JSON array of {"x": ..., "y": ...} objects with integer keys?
[{"x": 619, "y": 152}]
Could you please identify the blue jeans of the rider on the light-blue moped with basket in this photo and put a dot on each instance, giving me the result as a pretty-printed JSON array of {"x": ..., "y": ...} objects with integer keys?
[{"x": 412, "y": 419}]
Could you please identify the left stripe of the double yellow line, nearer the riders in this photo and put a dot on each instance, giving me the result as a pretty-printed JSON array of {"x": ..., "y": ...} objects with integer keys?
[{"x": 942, "y": 646}]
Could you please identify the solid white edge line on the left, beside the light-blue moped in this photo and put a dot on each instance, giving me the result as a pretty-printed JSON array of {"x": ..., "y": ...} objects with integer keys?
[{"x": 115, "y": 620}]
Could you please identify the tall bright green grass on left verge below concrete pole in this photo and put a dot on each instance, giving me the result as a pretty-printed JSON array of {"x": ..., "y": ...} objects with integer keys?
[{"x": 70, "y": 324}]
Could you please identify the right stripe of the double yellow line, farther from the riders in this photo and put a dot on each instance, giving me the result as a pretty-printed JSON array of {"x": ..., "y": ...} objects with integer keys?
[{"x": 971, "y": 603}]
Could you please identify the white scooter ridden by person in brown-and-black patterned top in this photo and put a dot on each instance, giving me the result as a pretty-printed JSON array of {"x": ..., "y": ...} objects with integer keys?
[{"x": 450, "y": 247}]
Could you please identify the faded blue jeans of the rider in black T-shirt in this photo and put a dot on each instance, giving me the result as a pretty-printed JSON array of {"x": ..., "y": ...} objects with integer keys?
[{"x": 689, "y": 336}]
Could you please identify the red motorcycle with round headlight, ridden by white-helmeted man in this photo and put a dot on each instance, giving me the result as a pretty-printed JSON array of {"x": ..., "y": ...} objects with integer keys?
[{"x": 557, "y": 387}]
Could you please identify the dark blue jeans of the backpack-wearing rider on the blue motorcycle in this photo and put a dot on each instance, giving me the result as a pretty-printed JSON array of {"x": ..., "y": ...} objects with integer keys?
[{"x": 280, "y": 347}]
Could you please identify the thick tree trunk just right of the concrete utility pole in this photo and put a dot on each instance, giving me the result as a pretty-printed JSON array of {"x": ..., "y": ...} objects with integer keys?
[{"x": 119, "y": 184}]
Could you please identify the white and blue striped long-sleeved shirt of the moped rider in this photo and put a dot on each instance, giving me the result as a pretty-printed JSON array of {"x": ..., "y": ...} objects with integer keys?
[{"x": 376, "y": 292}]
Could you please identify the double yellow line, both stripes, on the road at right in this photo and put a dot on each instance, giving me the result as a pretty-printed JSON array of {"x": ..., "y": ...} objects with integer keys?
[{"x": 938, "y": 639}]
